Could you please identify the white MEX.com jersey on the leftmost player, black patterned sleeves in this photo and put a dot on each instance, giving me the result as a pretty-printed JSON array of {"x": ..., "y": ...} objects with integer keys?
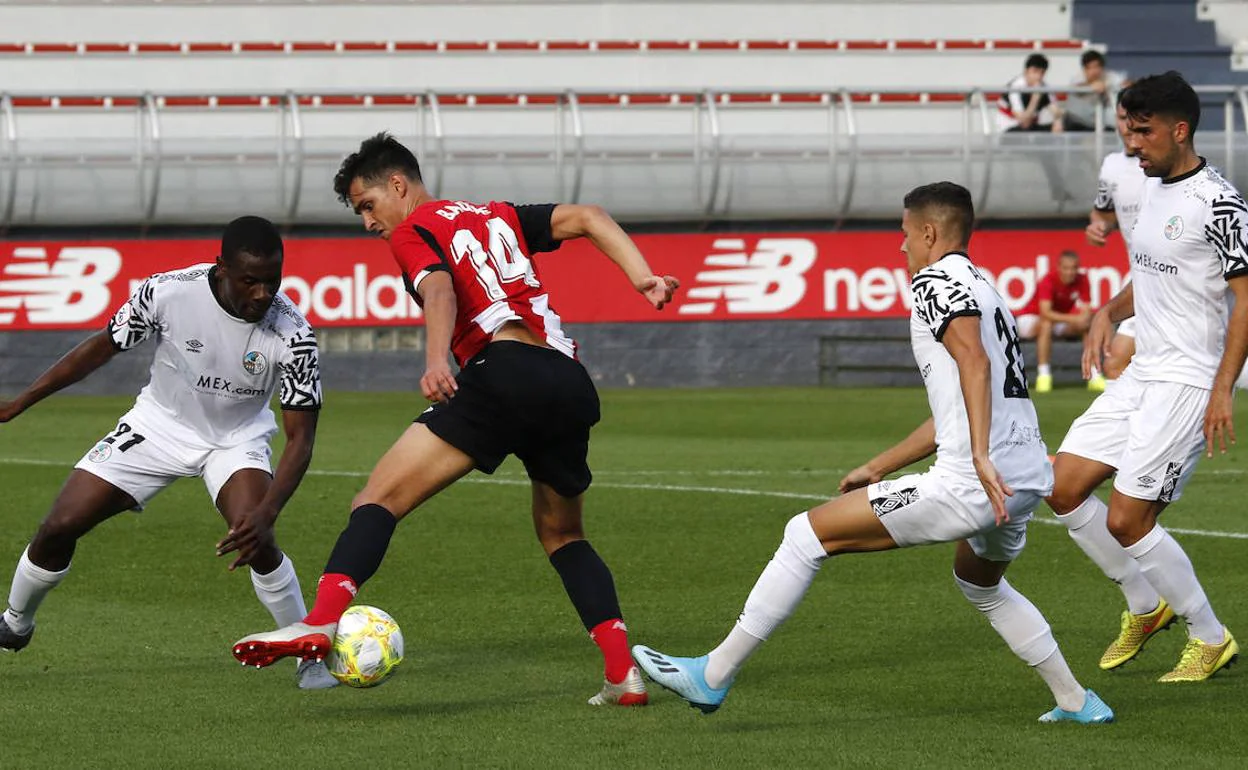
[{"x": 214, "y": 375}]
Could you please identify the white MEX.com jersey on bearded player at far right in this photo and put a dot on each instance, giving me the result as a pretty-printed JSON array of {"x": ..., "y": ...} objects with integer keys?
[{"x": 1190, "y": 239}]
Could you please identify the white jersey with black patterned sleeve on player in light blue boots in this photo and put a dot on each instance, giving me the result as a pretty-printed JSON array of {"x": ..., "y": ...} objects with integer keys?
[{"x": 944, "y": 291}]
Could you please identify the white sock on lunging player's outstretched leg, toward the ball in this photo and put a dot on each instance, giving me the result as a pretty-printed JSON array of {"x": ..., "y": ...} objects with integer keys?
[{"x": 777, "y": 595}]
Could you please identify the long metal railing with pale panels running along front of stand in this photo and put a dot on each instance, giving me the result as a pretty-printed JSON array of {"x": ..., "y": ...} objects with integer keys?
[{"x": 829, "y": 160}]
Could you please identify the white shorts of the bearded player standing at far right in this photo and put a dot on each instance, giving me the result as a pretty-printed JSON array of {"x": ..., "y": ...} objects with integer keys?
[{"x": 1151, "y": 432}]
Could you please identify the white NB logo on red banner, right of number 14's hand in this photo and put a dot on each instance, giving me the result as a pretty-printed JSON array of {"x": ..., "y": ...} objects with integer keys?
[{"x": 769, "y": 280}]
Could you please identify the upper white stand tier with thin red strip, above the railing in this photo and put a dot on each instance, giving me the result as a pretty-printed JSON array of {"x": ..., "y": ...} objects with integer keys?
[{"x": 530, "y": 66}]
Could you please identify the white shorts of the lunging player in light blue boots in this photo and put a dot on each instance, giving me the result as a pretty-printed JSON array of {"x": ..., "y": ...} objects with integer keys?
[{"x": 934, "y": 507}]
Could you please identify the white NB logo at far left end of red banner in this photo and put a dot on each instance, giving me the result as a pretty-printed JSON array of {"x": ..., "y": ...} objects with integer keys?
[{"x": 68, "y": 288}]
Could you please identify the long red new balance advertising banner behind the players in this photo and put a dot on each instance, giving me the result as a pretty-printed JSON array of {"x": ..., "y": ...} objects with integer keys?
[{"x": 753, "y": 276}]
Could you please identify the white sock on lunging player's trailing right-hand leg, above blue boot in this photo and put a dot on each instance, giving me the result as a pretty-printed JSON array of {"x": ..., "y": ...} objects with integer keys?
[{"x": 1029, "y": 636}]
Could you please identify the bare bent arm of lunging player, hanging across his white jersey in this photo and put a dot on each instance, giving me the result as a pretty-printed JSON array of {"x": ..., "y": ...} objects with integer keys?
[{"x": 962, "y": 340}]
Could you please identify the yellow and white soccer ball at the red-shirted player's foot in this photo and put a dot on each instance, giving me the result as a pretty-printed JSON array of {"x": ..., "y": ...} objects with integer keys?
[{"x": 368, "y": 648}]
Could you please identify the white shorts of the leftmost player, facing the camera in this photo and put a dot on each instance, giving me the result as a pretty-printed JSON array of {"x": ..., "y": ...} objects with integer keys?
[{"x": 140, "y": 460}]
